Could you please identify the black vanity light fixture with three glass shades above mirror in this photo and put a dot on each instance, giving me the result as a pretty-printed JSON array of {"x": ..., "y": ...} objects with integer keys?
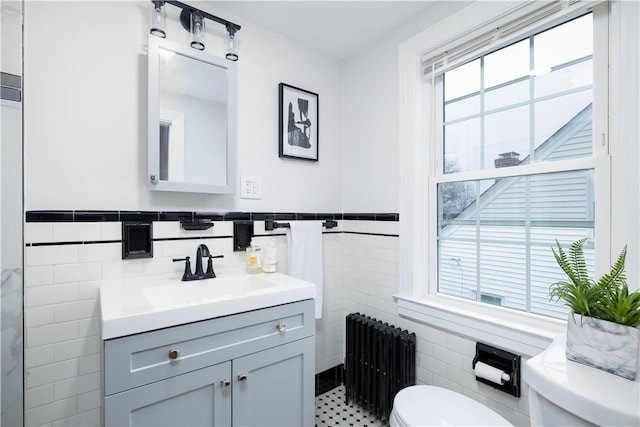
[{"x": 193, "y": 20}]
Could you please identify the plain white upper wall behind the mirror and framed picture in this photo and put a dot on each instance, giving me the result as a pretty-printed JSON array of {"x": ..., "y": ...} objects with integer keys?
[{"x": 85, "y": 113}]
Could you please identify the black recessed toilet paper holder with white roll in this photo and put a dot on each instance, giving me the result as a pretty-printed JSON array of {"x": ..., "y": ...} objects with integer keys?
[{"x": 498, "y": 368}]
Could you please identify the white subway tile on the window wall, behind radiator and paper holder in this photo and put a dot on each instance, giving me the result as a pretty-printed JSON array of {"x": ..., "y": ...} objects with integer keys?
[{"x": 370, "y": 278}]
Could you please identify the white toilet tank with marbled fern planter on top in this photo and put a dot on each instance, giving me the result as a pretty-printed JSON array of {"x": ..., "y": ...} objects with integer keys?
[{"x": 565, "y": 393}]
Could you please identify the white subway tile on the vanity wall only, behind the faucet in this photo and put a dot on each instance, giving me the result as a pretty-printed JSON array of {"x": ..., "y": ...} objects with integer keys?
[{"x": 62, "y": 350}]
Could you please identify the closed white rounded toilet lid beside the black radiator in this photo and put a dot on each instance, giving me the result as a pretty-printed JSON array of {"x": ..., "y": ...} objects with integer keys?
[{"x": 431, "y": 406}]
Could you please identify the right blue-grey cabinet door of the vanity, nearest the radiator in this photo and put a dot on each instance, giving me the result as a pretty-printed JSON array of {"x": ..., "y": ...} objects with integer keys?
[{"x": 275, "y": 387}]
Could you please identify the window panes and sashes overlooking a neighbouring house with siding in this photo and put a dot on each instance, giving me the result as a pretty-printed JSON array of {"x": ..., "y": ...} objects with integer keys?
[{"x": 516, "y": 166}]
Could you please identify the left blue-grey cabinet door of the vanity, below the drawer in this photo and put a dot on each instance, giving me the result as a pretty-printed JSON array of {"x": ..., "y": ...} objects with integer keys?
[{"x": 196, "y": 398}]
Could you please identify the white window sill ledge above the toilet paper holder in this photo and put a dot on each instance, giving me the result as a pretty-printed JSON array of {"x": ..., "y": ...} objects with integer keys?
[{"x": 521, "y": 333}]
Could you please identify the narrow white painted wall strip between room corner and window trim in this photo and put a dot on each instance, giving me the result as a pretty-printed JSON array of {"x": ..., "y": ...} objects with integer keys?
[{"x": 370, "y": 118}]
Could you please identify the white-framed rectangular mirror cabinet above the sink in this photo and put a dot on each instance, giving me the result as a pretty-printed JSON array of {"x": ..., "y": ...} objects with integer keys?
[{"x": 191, "y": 117}]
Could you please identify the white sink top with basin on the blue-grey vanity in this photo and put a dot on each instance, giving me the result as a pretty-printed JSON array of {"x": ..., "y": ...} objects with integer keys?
[{"x": 134, "y": 307}]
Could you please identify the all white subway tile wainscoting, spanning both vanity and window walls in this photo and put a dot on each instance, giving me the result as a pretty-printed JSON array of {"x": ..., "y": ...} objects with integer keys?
[{"x": 62, "y": 350}]
